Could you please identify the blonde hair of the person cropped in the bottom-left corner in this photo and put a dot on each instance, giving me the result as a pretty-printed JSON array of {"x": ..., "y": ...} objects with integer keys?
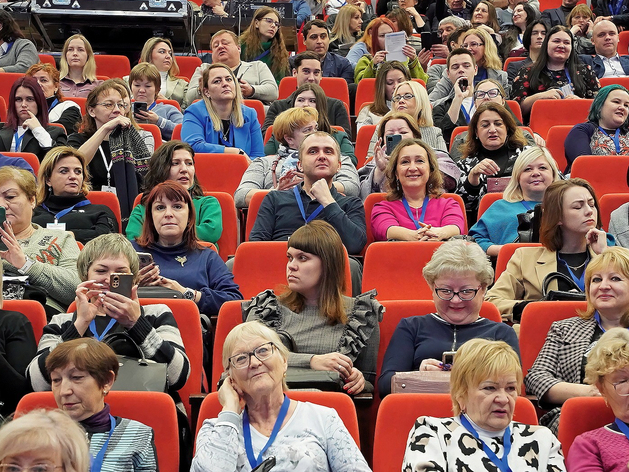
[{"x": 50, "y": 430}]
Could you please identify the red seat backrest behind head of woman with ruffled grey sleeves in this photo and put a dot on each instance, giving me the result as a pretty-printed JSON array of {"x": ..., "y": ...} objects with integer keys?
[{"x": 261, "y": 265}]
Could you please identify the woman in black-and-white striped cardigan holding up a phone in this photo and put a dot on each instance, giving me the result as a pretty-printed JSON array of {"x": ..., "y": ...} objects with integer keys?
[{"x": 100, "y": 311}]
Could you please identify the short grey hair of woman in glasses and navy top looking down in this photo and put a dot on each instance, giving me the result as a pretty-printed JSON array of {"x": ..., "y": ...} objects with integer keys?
[{"x": 458, "y": 257}]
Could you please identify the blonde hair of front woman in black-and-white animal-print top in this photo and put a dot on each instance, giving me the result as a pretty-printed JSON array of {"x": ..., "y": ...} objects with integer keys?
[{"x": 478, "y": 360}]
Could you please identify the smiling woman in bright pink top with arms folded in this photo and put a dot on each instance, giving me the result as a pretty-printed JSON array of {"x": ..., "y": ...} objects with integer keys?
[{"x": 414, "y": 209}]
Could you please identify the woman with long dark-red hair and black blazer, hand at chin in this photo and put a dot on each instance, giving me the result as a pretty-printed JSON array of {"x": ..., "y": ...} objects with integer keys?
[{"x": 27, "y": 128}]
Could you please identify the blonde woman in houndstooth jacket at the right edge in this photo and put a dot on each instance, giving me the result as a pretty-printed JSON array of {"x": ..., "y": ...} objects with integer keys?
[{"x": 558, "y": 372}]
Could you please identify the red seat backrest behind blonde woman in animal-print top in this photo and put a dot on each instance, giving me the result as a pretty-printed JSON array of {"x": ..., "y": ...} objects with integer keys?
[{"x": 397, "y": 415}]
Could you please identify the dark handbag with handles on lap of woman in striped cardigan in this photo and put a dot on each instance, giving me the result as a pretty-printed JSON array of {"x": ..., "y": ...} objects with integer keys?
[{"x": 137, "y": 374}]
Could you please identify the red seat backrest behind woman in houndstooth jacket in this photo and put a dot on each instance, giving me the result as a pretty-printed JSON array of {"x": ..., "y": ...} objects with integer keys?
[{"x": 535, "y": 323}]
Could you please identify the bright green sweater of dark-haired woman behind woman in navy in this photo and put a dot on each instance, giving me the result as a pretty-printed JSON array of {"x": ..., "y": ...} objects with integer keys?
[{"x": 209, "y": 220}]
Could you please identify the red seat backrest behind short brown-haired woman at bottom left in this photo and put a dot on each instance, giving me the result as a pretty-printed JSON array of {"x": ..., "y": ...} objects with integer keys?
[{"x": 138, "y": 406}]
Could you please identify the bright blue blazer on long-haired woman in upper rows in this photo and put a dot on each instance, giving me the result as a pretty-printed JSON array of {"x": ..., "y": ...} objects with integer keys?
[{"x": 197, "y": 130}]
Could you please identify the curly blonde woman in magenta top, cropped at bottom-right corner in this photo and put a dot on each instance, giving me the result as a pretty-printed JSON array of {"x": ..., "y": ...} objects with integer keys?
[{"x": 607, "y": 367}]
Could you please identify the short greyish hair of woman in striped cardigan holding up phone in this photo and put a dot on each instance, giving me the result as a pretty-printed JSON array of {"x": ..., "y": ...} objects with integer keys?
[{"x": 107, "y": 245}]
